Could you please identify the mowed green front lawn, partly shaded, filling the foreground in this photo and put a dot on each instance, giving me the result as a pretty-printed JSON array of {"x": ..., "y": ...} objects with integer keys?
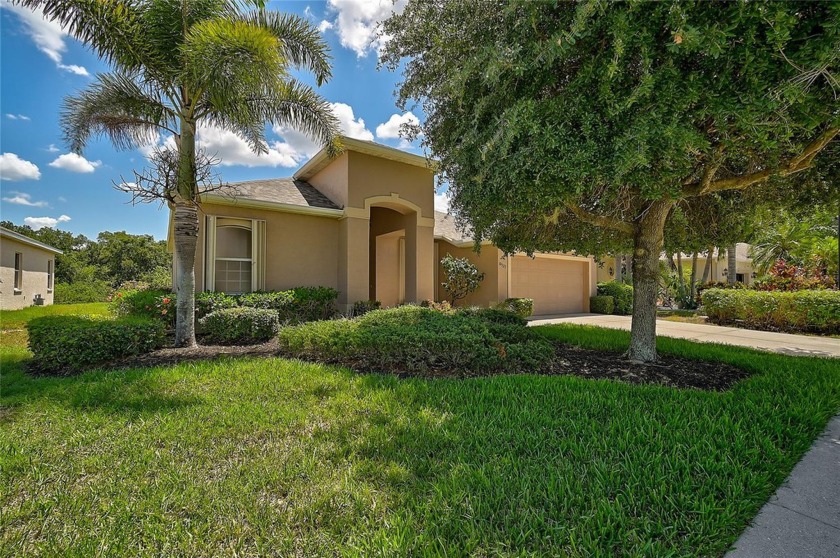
[{"x": 278, "y": 457}]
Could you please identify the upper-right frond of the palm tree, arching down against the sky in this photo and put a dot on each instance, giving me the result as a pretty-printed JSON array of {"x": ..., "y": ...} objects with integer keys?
[{"x": 300, "y": 42}]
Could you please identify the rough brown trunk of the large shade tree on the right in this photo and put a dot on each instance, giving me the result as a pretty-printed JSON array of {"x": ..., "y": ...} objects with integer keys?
[{"x": 647, "y": 245}]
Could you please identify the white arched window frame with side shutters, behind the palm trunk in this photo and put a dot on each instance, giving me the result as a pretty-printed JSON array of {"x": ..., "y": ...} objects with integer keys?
[{"x": 257, "y": 259}]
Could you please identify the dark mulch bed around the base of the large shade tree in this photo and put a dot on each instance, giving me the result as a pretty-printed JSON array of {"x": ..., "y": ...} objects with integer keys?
[{"x": 667, "y": 371}]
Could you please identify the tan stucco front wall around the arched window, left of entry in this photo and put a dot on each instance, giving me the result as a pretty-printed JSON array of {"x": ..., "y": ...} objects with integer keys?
[{"x": 301, "y": 250}]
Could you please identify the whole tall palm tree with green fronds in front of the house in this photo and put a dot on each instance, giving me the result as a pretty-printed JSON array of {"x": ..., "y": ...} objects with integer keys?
[{"x": 179, "y": 63}]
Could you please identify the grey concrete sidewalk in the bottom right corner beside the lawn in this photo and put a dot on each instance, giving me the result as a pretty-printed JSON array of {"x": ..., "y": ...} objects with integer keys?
[{"x": 802, "y": 518}]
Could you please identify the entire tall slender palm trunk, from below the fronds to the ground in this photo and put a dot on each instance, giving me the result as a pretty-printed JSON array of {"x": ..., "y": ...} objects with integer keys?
[{"x": 186, "y": 235}]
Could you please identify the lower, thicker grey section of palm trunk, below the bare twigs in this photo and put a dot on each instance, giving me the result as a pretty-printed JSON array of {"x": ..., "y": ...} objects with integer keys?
[{"x": 186, "y": 239}]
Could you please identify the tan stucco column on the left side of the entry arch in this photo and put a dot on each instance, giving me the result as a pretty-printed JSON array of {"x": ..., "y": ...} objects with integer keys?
[{"x": 353, "y": 260}]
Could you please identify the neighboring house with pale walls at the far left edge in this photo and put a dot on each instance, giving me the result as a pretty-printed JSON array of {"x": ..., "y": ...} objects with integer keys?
[{"x": 27, "y": 271}]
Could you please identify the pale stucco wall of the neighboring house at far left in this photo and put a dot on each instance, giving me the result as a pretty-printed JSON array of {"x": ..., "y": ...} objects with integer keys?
[{"x": 34, "y": 274}]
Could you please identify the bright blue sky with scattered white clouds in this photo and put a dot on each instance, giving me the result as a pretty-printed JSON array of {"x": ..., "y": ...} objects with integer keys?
[{"x": 43, "y": 185}]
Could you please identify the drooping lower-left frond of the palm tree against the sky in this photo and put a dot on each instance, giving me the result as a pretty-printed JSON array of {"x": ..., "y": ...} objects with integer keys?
[{"x": 119, "y": 107}]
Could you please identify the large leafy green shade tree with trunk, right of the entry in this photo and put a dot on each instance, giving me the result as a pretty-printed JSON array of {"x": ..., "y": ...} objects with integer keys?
[{"x": 579, "y": 126}]
